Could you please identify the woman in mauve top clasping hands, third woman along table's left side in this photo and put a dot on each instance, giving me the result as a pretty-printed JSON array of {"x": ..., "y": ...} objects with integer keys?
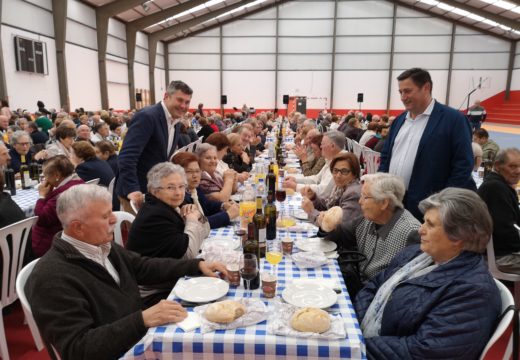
[{"x": 212, "y": 184}]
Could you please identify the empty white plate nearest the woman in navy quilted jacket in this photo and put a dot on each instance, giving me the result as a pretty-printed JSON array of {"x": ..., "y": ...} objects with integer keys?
[{"x": 305, "y": 294}]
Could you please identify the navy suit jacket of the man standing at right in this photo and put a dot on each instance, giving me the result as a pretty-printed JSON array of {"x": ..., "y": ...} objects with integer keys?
[{"x": 444, "y": 157}]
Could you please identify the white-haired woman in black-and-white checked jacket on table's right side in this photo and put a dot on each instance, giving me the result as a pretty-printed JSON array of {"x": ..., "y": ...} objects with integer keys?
[{"x": 385, "y": 229}]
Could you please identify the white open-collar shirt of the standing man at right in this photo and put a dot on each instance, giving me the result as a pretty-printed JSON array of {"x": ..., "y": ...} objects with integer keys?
[{"x": 406, "y": 144}]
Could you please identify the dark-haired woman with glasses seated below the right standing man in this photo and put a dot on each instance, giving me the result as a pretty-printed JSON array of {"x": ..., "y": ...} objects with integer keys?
[{"x": 345, "y": 194}]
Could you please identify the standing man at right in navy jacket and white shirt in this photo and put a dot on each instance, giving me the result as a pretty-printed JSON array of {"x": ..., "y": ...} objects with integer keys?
[{"x": 429, "y": 145}]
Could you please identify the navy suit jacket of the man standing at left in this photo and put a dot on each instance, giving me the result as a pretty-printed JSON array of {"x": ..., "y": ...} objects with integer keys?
[{"x": 145, "y": 145}]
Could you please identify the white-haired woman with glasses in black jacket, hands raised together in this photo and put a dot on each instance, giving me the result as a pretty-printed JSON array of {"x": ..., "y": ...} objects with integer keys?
[{"x": 163, "y": 226}]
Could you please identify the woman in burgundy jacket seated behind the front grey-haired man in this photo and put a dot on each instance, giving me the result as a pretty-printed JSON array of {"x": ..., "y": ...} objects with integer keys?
[{"x": 59, "y": 176}]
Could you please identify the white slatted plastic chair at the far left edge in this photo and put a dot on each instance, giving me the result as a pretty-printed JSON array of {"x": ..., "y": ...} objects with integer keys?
[{"x": 12, "y": 259}]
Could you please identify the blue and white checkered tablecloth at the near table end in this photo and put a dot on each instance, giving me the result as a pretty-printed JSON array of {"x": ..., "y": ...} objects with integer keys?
[{"x": 253, "y": 342}]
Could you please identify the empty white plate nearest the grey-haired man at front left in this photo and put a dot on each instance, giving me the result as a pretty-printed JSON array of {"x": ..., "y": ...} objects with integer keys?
[{"x": 201, "y": 289}]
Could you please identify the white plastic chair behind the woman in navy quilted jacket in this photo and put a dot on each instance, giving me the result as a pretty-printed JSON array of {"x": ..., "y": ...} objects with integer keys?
[{"x": 501, "y": 350}]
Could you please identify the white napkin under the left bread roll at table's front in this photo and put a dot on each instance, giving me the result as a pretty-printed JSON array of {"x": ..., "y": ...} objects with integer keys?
[{"x": 256, "y": 312}]
